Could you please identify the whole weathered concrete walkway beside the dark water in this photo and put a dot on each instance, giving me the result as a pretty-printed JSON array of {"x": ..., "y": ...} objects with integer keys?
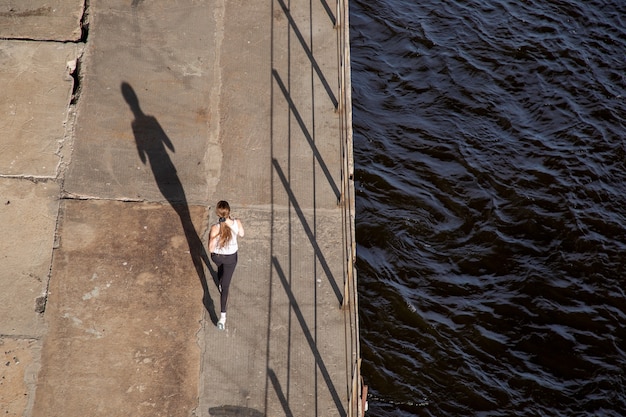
[{"x": 123, "y": 123}]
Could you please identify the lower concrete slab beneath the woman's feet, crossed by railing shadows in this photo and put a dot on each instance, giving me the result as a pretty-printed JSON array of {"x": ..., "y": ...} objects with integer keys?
[{"x": 282, "y": 351}]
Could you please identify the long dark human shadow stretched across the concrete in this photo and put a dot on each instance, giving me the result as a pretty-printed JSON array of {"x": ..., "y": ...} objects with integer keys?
[{"x": 152, "y": 145}]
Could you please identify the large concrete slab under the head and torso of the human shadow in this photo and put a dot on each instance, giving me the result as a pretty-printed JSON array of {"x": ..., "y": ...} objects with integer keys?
[{"x": 164, "y": 52}]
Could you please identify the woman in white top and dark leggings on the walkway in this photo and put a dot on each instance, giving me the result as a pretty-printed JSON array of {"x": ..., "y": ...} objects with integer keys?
[{"x": 223, "y": 247}]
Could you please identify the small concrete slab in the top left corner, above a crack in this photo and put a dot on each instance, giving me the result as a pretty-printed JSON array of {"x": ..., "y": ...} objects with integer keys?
[{"x": 57, "y": 20}]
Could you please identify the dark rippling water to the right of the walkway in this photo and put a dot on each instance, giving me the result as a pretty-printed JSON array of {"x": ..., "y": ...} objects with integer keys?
[{"x": 491, "y": 206}]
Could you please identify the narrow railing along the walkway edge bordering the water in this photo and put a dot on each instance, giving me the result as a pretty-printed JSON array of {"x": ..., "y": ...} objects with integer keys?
[{"x": 357, "y": 391}]
